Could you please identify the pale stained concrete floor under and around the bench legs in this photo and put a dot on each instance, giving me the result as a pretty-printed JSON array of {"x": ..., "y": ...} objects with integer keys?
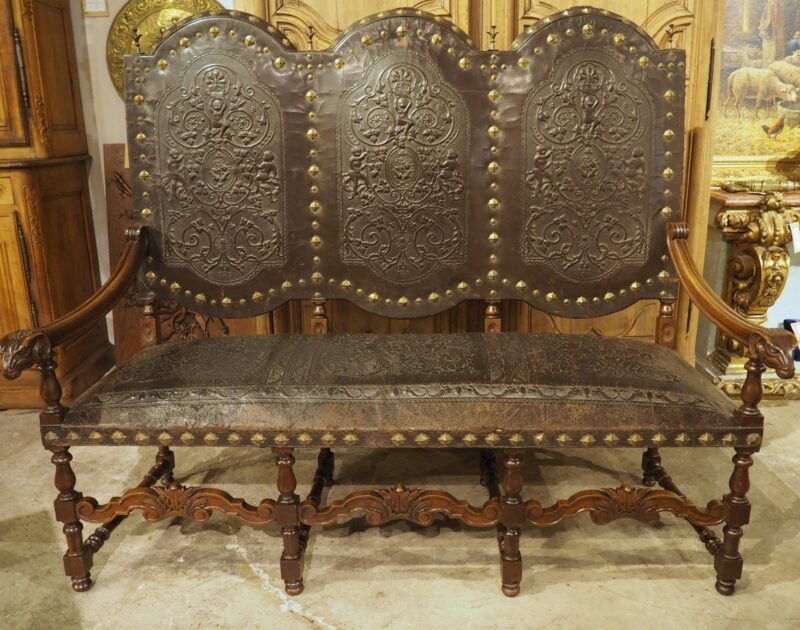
[{"x": 222, "y": 575}]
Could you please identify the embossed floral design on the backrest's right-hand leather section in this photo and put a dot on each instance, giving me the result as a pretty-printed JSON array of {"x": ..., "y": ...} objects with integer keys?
[{"x": 587, "y": 167}]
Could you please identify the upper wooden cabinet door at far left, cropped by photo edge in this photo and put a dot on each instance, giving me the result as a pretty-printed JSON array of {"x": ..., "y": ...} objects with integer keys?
[{"x": 13, "y": 130}]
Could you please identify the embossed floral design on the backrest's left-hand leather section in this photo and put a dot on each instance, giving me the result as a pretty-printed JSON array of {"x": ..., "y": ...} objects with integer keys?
[{"x": 221, "y": 183}]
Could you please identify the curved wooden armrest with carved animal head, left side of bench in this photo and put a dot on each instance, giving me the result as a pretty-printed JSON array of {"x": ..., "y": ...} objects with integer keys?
[{"x": 23, "y": 349}]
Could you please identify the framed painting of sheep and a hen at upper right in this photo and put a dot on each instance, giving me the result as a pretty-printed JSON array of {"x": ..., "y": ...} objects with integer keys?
[{"x": 757, "y": 128}]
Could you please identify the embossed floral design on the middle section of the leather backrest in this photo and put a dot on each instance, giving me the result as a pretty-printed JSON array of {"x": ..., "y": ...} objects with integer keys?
[{"x": 402, "y": 139}]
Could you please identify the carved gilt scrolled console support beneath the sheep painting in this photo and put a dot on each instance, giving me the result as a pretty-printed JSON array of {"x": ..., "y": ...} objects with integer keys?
[{"x": 757, "y": 225}]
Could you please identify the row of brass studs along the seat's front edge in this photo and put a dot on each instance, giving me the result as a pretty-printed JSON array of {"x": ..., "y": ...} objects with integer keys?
[{"x": 400, "y": 439}]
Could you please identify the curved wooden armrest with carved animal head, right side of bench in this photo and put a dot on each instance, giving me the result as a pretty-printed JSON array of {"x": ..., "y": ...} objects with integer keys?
[{"x": 773, "y": 346}]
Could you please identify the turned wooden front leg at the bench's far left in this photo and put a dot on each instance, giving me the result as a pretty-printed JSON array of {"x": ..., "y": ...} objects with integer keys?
[{"x": 78, "y": 557}]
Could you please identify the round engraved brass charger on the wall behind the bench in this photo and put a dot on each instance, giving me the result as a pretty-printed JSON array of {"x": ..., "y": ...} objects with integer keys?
[{"x": 146, "y": 20}]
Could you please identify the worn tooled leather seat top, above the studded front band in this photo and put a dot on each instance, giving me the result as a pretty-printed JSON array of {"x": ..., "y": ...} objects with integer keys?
[{"x": 520, "y": 374}]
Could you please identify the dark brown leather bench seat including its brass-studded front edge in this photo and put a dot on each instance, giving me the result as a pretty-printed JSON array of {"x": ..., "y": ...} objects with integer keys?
[{"x": 376, "y": 386}]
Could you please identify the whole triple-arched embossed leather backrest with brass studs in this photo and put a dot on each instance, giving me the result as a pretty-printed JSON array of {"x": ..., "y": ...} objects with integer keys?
[{"x": 403, "y": 169}]
